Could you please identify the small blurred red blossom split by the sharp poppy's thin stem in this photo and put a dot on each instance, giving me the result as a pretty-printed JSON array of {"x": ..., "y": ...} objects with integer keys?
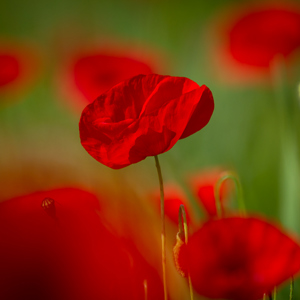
[{"x": 174, "y": 197}]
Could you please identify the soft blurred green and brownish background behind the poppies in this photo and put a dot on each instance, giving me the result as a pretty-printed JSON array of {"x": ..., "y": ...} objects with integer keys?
[{"x": 39, "y": 137}]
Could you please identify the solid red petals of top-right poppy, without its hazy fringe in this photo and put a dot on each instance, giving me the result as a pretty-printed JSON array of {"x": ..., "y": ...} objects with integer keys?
[{"x": 259, "y": 35}]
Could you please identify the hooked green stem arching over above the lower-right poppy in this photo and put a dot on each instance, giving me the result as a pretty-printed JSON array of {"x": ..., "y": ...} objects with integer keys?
[{"x": 239, "y": 193}]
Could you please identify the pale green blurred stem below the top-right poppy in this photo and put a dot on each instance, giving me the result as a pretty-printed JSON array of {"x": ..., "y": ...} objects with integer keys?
[{"x": 289, "y": 172}]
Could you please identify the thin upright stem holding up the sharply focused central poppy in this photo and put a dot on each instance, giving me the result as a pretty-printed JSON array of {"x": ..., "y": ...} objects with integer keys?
[{"x": 163, "y": 229}]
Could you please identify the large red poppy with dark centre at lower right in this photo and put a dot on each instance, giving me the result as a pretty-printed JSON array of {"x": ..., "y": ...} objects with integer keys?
[{"x": 239, "y": 258}]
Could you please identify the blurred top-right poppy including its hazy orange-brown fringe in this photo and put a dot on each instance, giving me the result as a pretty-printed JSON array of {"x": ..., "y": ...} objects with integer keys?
[{"x": 248, "y": 38}]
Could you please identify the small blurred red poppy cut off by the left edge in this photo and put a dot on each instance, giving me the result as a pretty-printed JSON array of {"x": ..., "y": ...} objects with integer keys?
[{"x": 18, "y": 66}]
